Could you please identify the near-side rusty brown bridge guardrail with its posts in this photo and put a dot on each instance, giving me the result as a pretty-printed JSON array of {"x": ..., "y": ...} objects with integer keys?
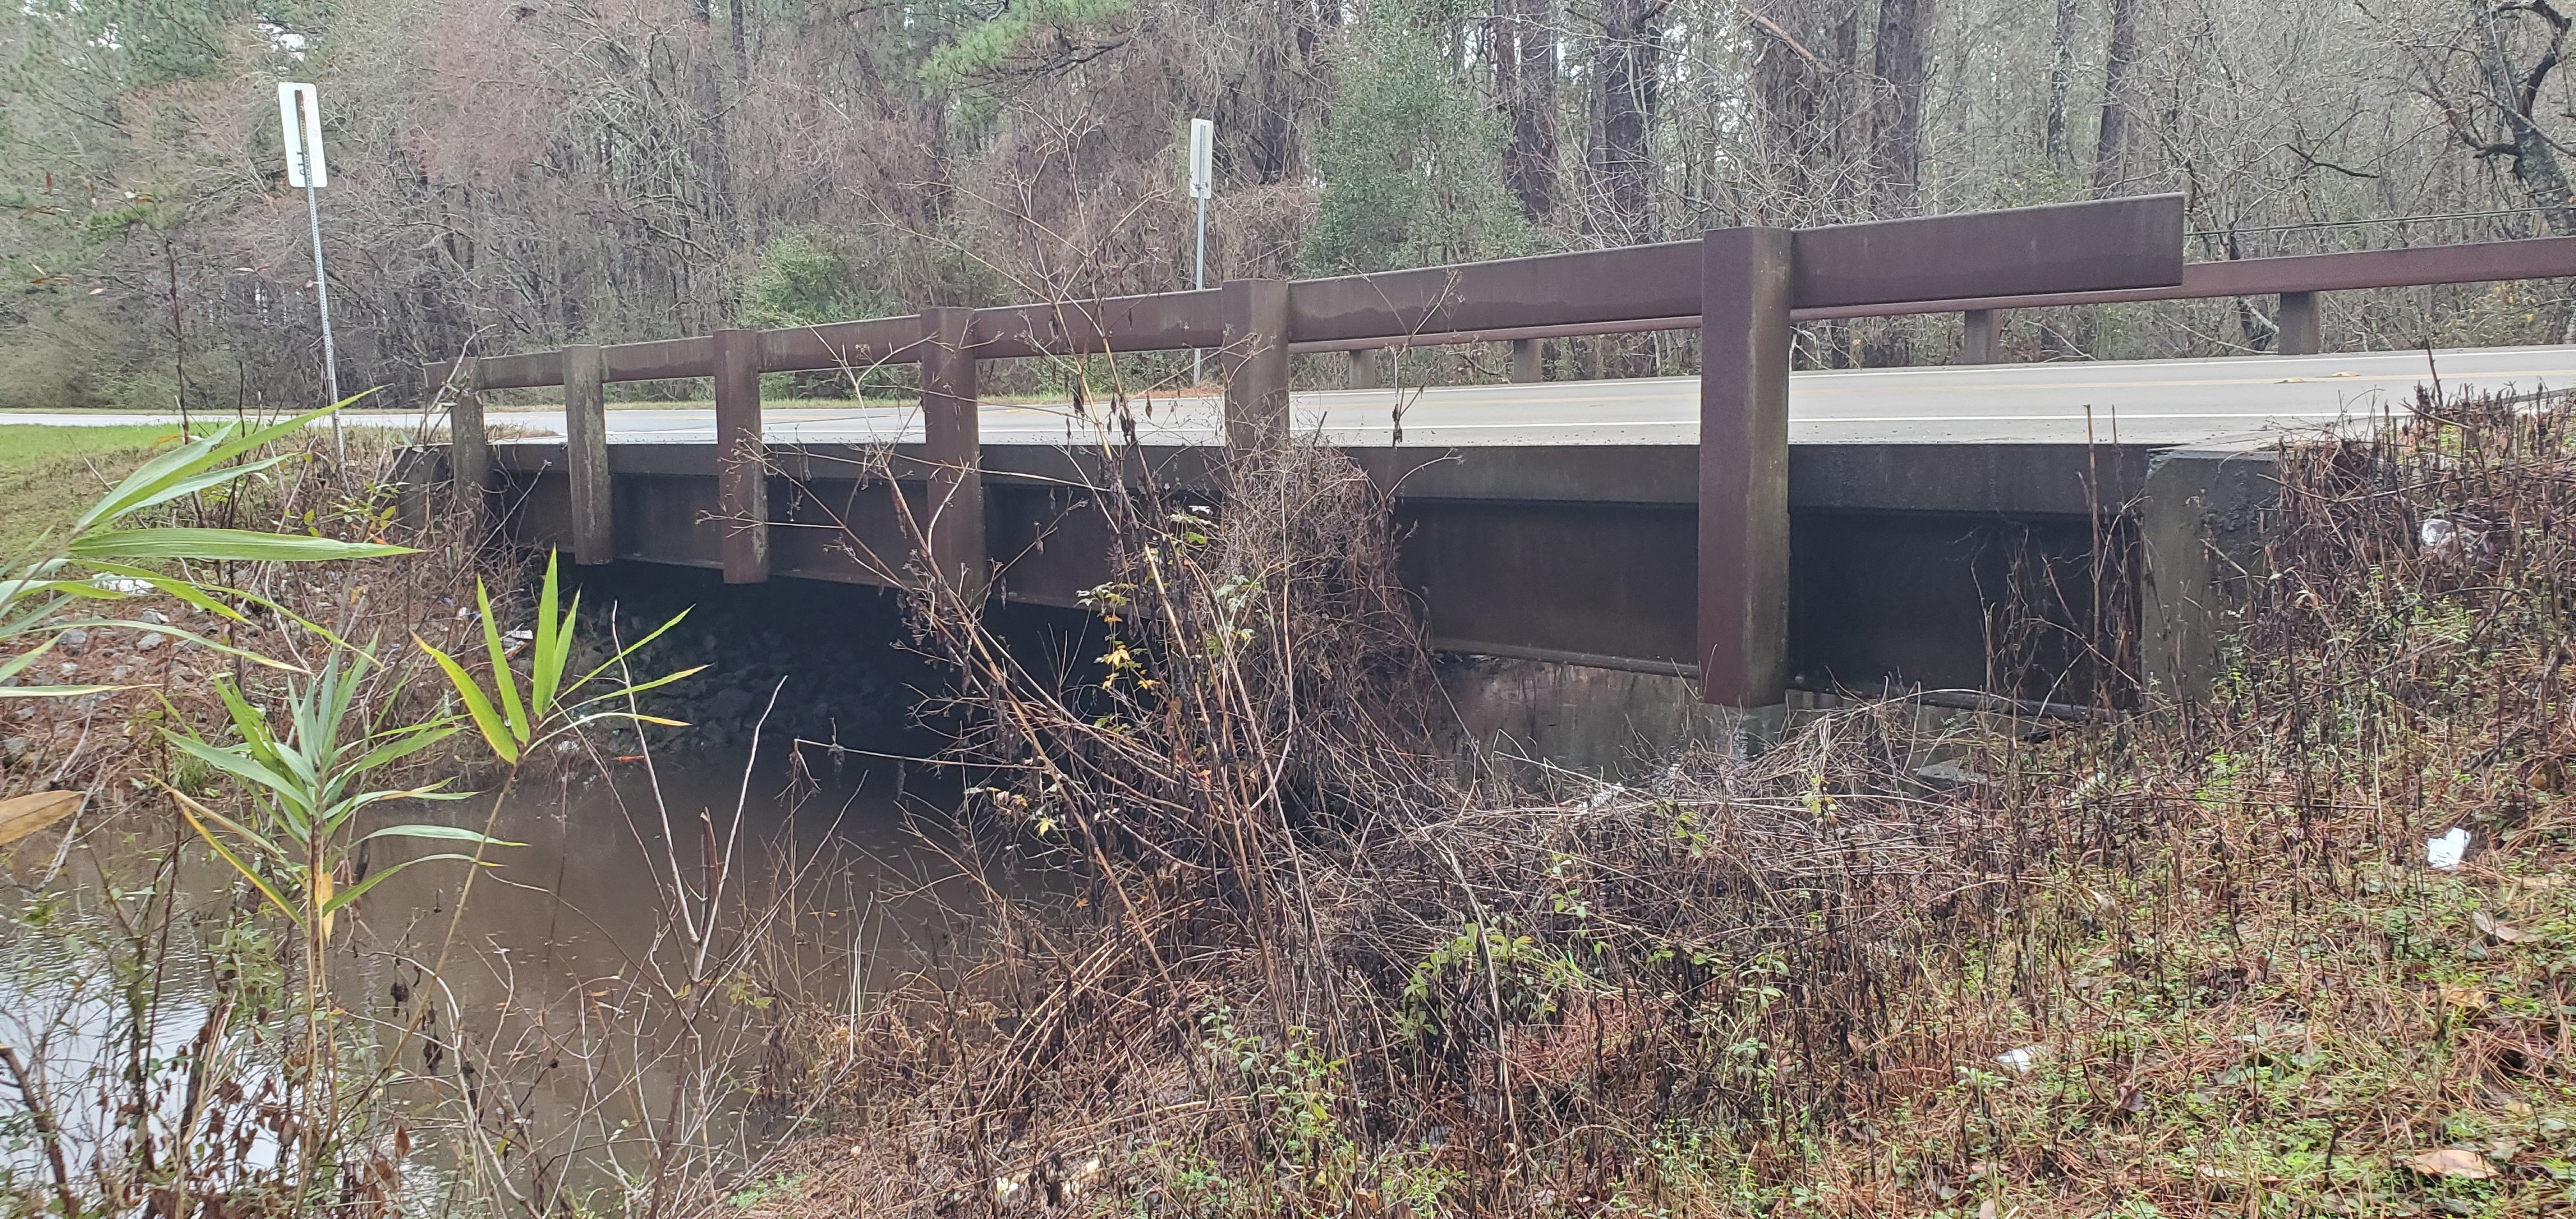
[{"x": 1743, "y": 290}]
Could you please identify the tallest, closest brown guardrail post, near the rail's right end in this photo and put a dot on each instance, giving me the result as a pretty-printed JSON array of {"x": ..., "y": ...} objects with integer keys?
[{"x": 1745, "y": 344}]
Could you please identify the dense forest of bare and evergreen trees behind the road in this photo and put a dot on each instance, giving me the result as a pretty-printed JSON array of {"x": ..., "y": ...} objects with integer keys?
[{"x": 535, "y": 171}]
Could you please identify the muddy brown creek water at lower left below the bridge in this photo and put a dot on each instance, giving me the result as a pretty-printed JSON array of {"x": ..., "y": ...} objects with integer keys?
[{"x": 841, "y": 880}]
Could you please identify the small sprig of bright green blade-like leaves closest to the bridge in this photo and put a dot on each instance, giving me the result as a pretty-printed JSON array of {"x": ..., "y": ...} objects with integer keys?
[{"x": 511, "y": 723}]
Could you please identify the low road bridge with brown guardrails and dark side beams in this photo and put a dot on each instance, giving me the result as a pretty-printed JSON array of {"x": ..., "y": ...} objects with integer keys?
[{"x": 1851, "y": 530}]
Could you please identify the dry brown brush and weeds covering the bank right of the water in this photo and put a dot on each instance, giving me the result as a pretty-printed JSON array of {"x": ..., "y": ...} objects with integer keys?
[{"x": 2183, "y": 963}]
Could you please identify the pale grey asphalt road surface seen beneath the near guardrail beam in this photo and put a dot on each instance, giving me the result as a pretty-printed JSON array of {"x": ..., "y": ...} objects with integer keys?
[{"x": 2214, "y": 401}]
